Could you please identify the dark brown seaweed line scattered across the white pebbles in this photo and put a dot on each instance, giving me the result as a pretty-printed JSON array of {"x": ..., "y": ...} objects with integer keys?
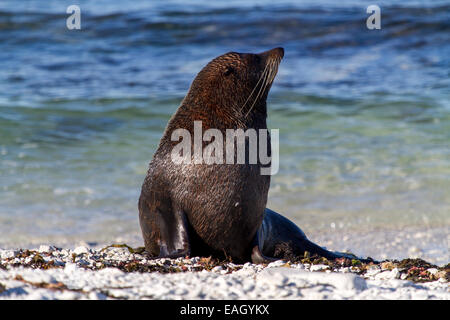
[{"x": 416, "y": 270}]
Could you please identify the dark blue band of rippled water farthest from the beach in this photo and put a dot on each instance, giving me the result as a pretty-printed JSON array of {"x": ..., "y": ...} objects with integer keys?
[{"x": 321, "y": 27}]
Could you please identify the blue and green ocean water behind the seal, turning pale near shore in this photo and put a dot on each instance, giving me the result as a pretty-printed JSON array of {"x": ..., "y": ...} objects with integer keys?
[{"x": 364, "y": 115}]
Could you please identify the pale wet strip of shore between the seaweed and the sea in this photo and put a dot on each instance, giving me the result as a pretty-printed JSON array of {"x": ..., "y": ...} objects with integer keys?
[{"x": 429, "y": 243}]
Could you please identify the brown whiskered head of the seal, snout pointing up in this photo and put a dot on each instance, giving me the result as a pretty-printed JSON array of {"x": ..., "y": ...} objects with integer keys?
[{"x": 237, "y": 81}]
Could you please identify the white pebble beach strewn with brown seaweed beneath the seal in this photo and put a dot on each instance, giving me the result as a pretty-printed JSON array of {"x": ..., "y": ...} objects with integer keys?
[{"x": 120, "y": 272}]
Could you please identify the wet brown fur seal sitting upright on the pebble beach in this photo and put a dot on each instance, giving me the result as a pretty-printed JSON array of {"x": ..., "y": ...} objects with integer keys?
[{"x": 189, "y": 209}]
